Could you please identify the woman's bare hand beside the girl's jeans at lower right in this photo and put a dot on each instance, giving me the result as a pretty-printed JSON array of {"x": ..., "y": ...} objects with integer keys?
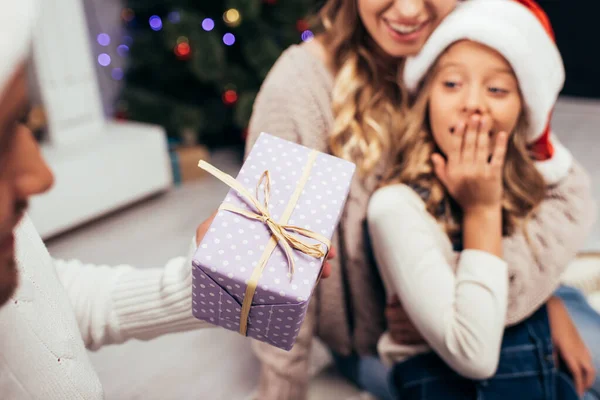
[{"x": 569, "y": 346}]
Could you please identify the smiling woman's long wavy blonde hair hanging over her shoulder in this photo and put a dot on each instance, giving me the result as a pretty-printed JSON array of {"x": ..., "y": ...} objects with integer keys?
[{"x": 367, "y": 97}]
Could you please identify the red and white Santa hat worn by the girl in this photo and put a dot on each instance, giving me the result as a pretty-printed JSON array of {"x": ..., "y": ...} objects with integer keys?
[{"x": 521, "y": 31}]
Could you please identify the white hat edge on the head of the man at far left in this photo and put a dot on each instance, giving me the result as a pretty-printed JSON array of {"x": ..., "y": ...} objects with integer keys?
[{"x": 16, "y": 30}]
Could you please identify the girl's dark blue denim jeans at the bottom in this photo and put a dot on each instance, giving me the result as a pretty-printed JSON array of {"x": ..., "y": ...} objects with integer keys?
[{"x": 525, "y": 371}]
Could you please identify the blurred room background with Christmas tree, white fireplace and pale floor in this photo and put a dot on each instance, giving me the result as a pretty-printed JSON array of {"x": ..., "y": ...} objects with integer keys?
[{"x": 130, "y": 94}]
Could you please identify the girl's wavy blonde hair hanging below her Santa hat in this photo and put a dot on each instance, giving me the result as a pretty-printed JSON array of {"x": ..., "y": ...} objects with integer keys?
[{"x": 524, "y": 186}]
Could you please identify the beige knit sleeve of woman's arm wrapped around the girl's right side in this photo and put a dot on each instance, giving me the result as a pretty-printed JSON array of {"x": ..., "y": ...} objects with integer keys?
[{"x": 556, "y": 233}]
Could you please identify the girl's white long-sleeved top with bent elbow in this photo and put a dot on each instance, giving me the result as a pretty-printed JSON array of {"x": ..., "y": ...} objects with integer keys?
[{"x": 457, "y": 301}]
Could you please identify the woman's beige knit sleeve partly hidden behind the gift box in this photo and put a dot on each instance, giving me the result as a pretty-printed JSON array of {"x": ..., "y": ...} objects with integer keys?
[{"x": 291, "y": 105}]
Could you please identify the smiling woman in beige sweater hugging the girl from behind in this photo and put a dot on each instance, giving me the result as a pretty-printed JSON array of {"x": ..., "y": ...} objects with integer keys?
[{"x": 340, "y": 93}]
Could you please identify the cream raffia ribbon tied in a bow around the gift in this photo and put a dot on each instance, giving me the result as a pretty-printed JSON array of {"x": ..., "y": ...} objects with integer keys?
[{"x": 281, "y": 232}]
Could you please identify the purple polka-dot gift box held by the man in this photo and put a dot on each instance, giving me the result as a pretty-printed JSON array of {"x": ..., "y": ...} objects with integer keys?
[{"x": 227, "y": 260}]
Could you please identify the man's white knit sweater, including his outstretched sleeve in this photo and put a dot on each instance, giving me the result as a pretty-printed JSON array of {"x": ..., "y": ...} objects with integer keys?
[{"x": 60, "y": 308}]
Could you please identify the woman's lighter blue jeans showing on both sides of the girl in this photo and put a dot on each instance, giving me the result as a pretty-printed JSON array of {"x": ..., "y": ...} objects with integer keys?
[{"x": 371, "y": 375}]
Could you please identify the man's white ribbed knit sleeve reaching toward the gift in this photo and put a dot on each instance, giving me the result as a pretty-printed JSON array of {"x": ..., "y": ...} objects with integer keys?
[{"x": 115, "y": 304}]
